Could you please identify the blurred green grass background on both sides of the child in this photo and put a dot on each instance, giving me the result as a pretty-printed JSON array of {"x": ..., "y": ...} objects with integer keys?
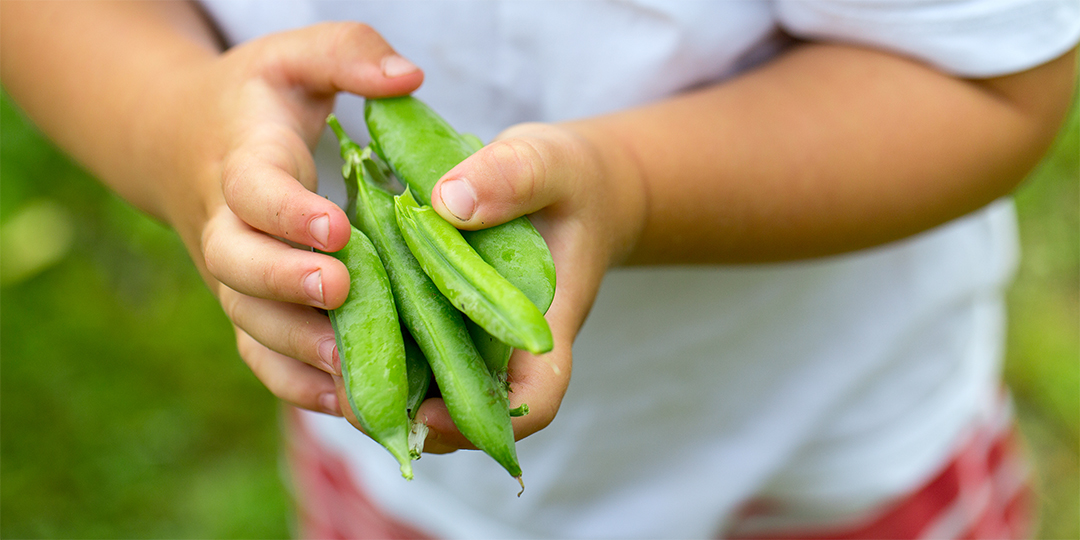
[{"x": 127, "y": 413}]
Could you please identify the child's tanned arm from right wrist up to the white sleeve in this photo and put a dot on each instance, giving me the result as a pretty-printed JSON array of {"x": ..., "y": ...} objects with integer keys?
[{"x": 826, "y": 151}]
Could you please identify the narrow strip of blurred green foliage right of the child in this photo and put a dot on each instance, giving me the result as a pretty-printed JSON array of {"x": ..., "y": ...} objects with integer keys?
[{"x": 1043, "y": 366}]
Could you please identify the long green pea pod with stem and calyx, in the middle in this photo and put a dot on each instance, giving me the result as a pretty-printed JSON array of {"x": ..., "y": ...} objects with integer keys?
[{"x": 474, "y": 398}]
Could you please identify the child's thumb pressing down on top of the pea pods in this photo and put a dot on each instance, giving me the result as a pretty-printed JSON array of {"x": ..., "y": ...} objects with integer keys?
[{"x": 518, "y": 175}]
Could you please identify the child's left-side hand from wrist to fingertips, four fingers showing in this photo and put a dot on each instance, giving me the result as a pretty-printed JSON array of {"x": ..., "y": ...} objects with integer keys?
[{"x": 252, "y": 118}]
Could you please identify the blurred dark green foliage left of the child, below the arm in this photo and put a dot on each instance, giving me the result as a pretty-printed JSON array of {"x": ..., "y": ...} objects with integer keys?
[{"x": 127, "y": 412}]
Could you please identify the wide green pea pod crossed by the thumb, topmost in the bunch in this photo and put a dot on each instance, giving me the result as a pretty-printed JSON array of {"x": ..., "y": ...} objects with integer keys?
[{"x": 421, "y": 147}]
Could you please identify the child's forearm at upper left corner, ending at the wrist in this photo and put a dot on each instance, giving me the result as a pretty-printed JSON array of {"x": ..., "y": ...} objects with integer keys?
[{"x": 101, "y": 79}]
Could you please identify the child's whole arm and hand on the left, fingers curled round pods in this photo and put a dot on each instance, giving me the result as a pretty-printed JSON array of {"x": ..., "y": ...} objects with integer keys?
[{"x": 219, "y": 146}]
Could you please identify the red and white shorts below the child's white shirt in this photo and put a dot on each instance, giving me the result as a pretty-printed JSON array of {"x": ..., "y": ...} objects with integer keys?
[{"x": 982, "y": 493}]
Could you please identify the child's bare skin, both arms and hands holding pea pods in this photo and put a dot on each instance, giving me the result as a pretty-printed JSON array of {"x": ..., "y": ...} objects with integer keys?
[{"x": 772, "y": 166}]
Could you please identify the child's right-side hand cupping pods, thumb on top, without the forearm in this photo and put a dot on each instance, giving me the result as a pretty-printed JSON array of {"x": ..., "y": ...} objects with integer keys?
[{"x": 564, "y": 181}]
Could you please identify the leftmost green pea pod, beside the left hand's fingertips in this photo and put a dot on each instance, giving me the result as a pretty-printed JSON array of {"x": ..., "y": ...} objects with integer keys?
[{"x": 372, "y": 350}]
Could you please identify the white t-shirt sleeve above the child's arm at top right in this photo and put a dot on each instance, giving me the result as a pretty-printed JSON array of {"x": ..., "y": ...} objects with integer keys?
[{"x": 968, "y": 38}]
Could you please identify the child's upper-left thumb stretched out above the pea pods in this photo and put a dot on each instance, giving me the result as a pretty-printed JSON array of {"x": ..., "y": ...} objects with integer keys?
[{"x": 331, "y": 58}]
